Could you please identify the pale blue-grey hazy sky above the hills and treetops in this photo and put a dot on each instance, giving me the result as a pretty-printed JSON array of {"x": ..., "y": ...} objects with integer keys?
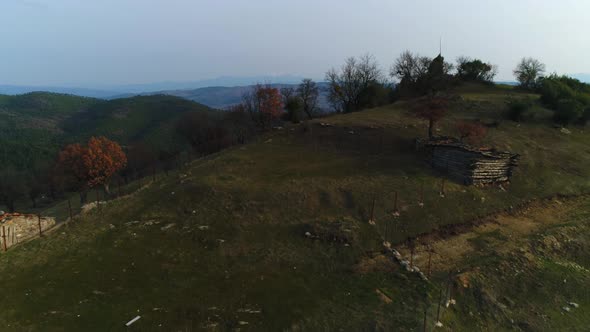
[{"x": 96, "y": 42}]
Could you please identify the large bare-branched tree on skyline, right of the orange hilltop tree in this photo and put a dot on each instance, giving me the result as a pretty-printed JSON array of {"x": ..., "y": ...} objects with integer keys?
[{"x": 346, "y": 86}]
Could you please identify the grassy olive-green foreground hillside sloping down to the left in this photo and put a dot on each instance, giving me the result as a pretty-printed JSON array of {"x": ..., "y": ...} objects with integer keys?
[{"x": 274, "y": 235}]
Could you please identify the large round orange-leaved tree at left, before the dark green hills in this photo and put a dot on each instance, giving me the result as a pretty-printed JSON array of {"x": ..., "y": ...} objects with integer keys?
[{"x": 92, "y": 165}]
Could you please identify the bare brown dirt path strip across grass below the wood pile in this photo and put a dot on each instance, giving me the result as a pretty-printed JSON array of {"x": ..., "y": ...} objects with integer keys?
[{"x": 500, "y": 233}]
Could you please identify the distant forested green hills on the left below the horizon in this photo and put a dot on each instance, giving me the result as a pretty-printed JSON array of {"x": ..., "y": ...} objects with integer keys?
[{"x": 34, "y": 126}]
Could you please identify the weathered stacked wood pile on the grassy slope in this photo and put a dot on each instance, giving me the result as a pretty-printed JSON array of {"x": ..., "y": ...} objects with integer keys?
[{"x": 470, "y": 165}]
